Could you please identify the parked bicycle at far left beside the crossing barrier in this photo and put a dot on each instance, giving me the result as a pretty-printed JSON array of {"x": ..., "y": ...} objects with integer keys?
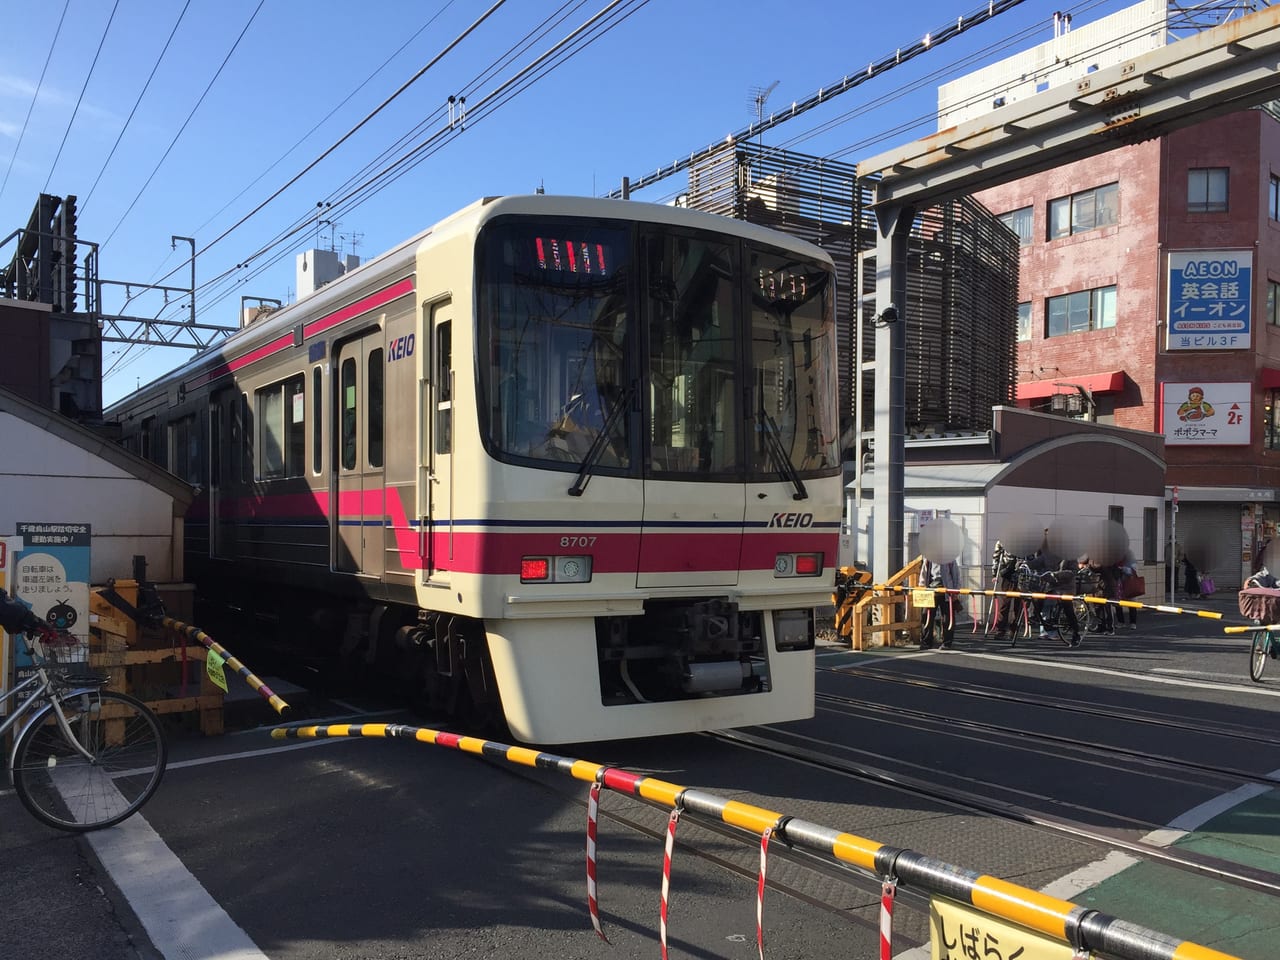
[{"x": 85, "y": 758}]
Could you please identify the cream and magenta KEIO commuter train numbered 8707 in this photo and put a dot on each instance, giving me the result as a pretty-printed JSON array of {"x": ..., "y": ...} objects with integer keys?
[{"x": 569, "y": 465}]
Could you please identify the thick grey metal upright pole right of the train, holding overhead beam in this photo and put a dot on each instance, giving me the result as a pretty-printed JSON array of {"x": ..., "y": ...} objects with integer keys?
[{"x": 894, "y": 228}]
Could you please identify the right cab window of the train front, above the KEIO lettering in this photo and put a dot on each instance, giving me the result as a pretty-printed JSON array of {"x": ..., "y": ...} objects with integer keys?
[{"x": 793, "y": 417}]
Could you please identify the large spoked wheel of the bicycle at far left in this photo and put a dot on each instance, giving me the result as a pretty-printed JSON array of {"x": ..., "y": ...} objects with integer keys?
[{"x": 68, "y": 792}]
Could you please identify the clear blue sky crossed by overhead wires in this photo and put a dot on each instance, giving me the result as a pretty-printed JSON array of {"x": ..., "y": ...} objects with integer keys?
[{"x": 250, "y": 93}]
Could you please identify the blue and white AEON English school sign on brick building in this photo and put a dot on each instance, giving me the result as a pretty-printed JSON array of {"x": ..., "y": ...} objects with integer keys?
[{"x": 1210, "y": 299}]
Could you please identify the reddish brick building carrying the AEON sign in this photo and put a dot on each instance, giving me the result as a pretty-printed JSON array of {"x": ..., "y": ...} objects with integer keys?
[{"x": 1150, "y": 299}]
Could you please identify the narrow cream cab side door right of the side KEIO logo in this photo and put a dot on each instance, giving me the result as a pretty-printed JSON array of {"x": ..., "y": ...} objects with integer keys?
[{"x": 438, "y": 445}]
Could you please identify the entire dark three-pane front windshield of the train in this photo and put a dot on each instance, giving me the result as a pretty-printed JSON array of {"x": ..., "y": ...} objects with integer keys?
[{"x": 697, "y": 355}]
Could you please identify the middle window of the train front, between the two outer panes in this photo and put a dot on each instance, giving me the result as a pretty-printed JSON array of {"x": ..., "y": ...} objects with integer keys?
[{"x": 693, "y": 354}]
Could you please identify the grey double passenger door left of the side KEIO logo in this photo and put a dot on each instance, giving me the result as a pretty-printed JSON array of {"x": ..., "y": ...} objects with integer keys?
[{"x": 360, "y": 514}]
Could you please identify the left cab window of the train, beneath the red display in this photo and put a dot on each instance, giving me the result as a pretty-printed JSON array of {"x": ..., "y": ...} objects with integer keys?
[{"x": 555, "y": 332}]
